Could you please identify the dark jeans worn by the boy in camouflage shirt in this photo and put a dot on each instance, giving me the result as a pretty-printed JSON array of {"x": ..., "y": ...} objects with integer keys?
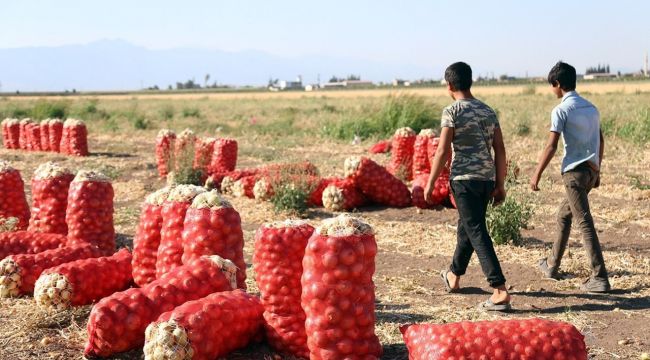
[{"x": 472, "y": 197}]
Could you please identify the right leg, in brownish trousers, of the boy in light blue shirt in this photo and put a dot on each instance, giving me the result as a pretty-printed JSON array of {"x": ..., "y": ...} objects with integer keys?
[{"x": 578, "y": 184}]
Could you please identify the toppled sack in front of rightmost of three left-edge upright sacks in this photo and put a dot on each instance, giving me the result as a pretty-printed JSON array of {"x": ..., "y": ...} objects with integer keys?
[{"x": 84, "y": 281}]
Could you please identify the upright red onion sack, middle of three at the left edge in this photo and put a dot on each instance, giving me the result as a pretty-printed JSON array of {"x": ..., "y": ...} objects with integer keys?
[{"x": 50, "y": 186}]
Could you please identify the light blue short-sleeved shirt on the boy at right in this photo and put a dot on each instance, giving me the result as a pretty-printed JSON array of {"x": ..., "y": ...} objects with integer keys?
[{"x": 578, "y": 121}]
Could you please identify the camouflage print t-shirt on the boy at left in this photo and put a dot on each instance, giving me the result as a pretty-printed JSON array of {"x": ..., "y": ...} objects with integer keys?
[{"x": 474, "y": 124}]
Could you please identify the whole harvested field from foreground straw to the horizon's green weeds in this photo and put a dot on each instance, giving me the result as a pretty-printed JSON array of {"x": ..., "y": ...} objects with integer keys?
[{"x": 414, "y": 245}]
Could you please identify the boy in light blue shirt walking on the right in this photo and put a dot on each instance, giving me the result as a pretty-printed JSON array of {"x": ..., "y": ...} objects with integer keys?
[{"x": 578, "y": 122}]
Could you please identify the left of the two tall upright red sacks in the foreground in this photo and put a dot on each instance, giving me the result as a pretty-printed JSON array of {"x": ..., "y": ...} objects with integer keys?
[{"x": 277, "y": 260}]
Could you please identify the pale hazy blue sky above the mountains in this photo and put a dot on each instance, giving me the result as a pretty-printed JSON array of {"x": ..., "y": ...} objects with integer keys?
[{"x": 511, "y": 37}]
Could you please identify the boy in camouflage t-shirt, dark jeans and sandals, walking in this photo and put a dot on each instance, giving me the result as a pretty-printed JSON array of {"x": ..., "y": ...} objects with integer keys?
[{"x": 472, "y": 129}]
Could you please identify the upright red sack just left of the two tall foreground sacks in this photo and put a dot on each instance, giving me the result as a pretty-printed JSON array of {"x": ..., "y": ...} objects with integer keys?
[{"x": 213, "y": 227}]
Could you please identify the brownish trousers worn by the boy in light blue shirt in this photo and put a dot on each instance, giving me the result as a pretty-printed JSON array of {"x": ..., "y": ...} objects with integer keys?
[{"x": 578, "y": 183}]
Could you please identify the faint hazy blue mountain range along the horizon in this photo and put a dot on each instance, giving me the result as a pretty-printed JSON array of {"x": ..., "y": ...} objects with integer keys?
[{"x": 120, "y": 65}]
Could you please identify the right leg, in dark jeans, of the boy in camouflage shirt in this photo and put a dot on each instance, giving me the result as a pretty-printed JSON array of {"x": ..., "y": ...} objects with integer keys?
[{"x": 473, "y": 206}]
